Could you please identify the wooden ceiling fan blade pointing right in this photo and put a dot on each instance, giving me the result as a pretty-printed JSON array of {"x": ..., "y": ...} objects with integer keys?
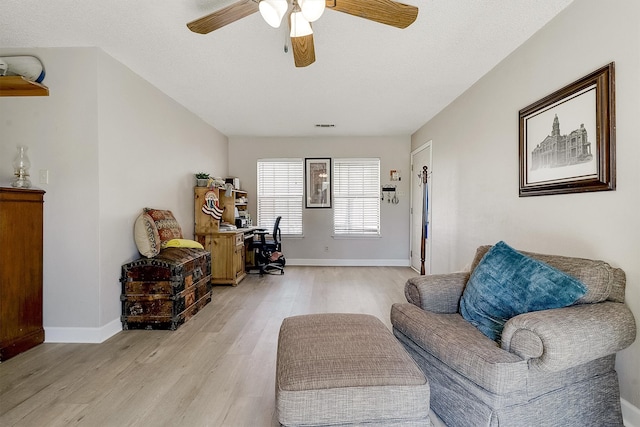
[{"x": 388, "y": 12}]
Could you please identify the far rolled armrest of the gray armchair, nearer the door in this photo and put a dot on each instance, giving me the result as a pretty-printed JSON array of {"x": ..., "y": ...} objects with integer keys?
[{"x": 438, "y": 293}]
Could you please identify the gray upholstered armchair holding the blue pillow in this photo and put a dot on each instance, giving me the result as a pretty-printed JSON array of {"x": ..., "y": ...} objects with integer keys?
[{"x": 553, "y": 368}]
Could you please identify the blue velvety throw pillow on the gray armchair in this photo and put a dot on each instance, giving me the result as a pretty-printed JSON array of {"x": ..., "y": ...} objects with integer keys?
[{"x": 507, "y": 283}]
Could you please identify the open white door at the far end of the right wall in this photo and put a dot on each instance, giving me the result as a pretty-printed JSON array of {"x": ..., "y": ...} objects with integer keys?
[{"x": 420, "y": 157}]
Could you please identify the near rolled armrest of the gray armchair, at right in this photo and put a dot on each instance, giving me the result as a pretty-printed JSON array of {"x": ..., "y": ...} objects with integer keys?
[{"x": 558, "y": 339}]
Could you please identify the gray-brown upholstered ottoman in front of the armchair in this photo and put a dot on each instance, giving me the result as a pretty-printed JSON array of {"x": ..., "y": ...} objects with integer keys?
[{"x": 346, "y": 369}]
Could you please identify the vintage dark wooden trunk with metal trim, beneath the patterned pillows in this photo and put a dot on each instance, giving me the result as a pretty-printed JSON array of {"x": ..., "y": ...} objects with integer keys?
[{"x": 165, "y": 291}]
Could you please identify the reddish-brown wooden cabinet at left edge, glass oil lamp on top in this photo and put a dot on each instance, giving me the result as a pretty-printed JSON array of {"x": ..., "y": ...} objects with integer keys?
[{"x": 20, "y": 270}]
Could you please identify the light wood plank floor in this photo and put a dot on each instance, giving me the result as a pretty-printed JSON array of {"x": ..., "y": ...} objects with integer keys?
[{"x": 218, "y": 369}]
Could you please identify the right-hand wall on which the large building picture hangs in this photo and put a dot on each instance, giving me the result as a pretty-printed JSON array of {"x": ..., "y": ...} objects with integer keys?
[{"x": 475, "y": 158}]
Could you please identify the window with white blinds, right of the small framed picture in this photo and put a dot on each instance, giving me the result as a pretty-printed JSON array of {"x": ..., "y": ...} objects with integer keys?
[{"x": 356, "y": 196}]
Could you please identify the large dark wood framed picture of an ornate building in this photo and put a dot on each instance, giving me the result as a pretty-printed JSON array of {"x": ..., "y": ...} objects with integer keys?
[{"x": 567, "y": 139}]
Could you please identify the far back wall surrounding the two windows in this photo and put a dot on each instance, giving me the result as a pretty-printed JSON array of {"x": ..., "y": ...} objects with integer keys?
[{"x": 394, "y": 153}]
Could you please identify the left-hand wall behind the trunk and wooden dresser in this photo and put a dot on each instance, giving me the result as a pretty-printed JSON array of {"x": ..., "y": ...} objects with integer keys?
[{"x": 113, "y": 144}]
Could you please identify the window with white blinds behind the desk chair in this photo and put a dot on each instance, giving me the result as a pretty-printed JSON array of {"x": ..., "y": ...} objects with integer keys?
[{"x": 280, "y": 193}]
